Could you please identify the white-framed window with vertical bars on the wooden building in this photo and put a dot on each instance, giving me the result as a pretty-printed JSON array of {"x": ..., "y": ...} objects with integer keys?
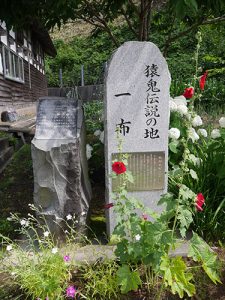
[{"x": 12, "y": 65}]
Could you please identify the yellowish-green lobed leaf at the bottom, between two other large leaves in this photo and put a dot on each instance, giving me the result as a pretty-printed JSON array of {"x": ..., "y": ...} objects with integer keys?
[{"x": 176, "y": 276}]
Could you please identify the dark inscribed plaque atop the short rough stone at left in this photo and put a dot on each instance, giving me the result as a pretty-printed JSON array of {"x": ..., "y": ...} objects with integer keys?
[{"x": 56, "y": 119}]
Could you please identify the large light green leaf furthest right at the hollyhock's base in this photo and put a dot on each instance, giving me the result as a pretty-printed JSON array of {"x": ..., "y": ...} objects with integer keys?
[{"x": 200, "y": 251}]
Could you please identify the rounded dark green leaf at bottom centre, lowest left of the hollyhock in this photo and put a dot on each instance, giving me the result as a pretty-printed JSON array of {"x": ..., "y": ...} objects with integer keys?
[{"x": 127, "y": 279}]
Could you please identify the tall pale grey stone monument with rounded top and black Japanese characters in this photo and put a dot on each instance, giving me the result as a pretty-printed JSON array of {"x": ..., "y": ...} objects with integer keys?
[{"x": 137, "y": 103}]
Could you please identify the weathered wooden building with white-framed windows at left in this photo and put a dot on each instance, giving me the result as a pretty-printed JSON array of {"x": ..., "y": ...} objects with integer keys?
[{"x": 22, "y": 69}]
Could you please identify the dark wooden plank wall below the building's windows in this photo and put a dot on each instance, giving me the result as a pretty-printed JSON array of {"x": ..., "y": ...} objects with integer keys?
[{"x": 20, "y": 94}]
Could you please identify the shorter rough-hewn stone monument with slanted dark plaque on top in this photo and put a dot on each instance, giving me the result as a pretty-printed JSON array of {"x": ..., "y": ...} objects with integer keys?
[{"x": 61, "y": 184}]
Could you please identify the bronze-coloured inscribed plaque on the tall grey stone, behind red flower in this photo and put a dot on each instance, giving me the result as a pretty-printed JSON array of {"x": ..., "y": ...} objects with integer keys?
[{"x": 147, "y": 168}]
